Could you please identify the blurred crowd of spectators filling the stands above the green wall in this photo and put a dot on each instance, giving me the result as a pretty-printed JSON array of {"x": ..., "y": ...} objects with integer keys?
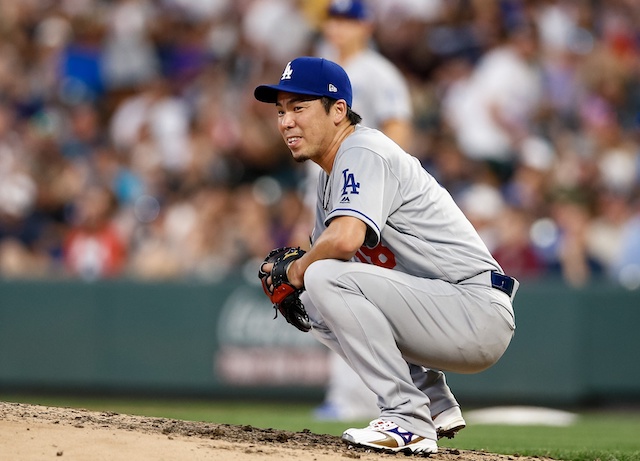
[{"x": 131, "y": 144}]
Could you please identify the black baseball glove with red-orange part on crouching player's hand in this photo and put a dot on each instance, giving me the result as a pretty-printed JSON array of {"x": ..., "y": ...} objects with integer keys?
[{"x": 284, "y": 296}]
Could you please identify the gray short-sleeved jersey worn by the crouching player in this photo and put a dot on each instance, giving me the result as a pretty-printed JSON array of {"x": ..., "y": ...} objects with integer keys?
[{"x": 414, "y": 225}]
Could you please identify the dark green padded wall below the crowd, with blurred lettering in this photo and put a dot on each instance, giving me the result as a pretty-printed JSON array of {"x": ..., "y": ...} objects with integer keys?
[{"x": 220, "y": 340}]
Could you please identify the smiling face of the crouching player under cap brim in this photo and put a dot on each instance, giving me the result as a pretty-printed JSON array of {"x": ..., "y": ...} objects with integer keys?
[{"x": 305, "y": 126}]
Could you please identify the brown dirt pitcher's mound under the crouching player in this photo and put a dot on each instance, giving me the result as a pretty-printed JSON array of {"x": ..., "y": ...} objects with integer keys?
[{"x": 32, "y": 432}]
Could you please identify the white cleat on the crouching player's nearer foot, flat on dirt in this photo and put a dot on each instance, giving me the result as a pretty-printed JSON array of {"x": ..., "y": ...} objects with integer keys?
[{"x": 385, "y": 436}]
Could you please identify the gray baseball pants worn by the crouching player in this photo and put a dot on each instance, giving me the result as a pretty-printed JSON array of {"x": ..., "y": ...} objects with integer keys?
[{"x": 397, "y": 332}]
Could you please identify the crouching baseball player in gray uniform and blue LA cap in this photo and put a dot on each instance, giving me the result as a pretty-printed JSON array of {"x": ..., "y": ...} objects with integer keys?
[{"x": 397, "y": 281}]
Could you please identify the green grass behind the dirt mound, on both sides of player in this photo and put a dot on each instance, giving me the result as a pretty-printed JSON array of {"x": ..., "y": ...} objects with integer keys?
[{"x": 596, "y": 436}]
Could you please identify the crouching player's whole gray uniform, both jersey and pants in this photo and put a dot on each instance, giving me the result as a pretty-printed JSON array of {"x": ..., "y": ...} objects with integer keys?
[{"x": 436, "y": 310}]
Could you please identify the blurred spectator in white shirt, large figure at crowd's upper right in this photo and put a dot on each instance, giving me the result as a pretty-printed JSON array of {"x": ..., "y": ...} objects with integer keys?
[{"x": 493, "y": 111}]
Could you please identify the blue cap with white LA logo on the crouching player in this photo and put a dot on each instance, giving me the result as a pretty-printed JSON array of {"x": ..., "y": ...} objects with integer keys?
[{"x": 309, "y": 76}]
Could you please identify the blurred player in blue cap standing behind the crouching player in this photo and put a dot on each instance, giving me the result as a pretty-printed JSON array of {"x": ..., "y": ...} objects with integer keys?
[{"x": 381, "y": 97}]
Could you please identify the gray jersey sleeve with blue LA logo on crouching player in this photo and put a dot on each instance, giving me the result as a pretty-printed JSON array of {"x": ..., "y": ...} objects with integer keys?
[{"x": 363, "y": 186}]
